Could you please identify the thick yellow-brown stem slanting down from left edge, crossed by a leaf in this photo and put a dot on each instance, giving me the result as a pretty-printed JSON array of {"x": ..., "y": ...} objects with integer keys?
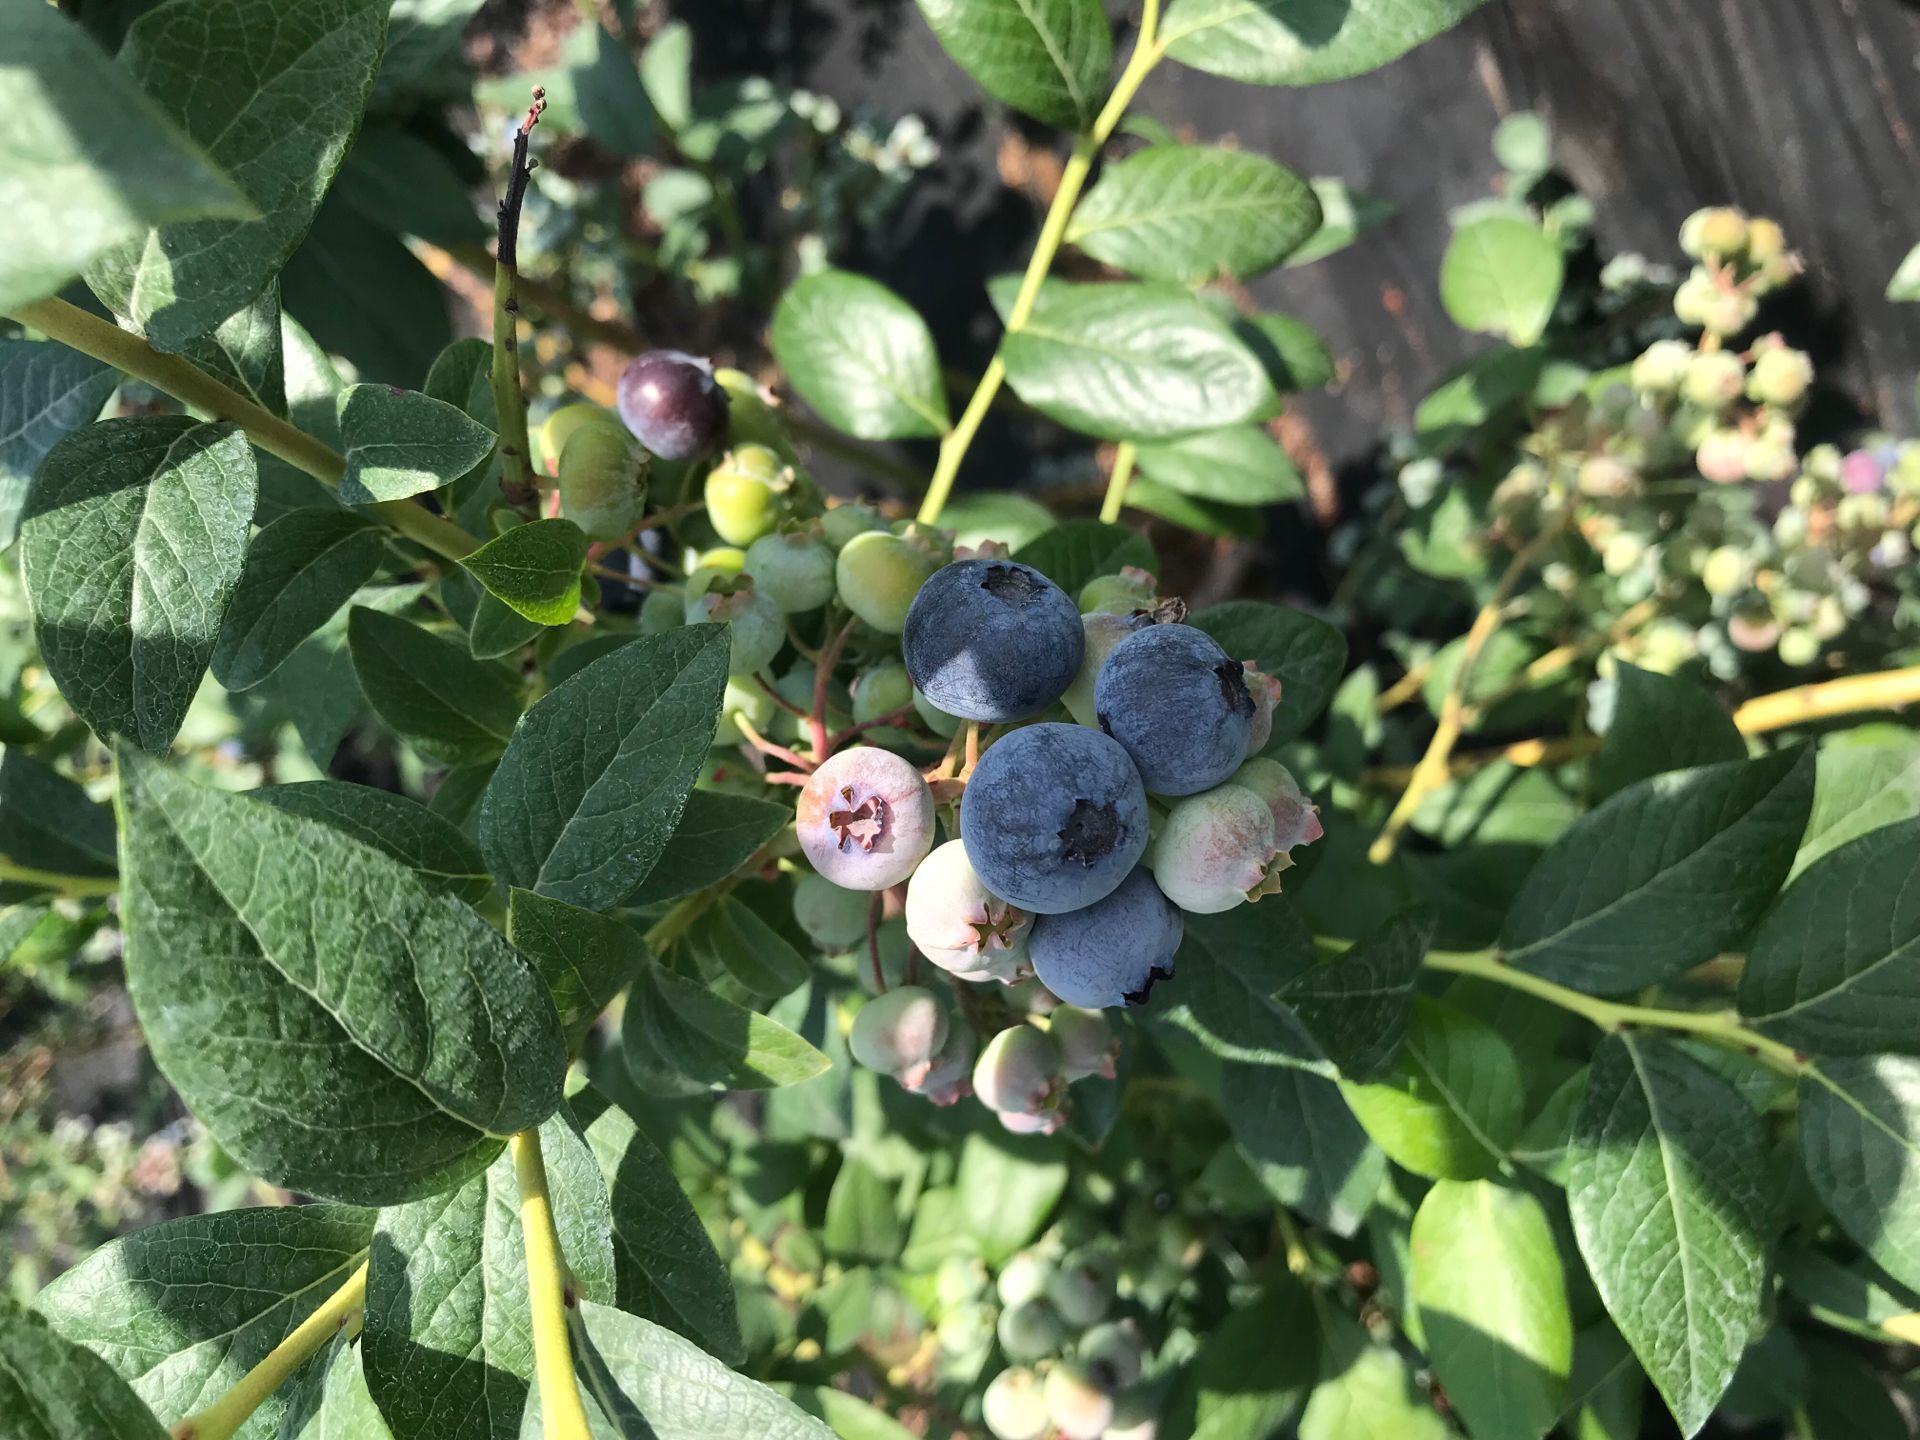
[{"x": 187, "y": 383}]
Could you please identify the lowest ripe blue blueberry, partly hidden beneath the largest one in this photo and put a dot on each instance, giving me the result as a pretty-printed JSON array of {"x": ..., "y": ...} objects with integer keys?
[{"x": 1113, "y": 951}]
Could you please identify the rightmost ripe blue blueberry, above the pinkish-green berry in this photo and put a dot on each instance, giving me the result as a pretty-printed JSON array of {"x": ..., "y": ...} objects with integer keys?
[{"x": 1180, "y": 706}]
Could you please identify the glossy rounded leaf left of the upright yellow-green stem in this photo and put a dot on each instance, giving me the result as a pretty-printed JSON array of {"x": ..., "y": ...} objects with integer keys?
[{"x": 861, "y": 356}]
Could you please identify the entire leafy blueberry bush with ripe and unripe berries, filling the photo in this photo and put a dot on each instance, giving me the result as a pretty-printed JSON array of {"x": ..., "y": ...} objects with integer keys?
[{"x": 669, "y": 915}]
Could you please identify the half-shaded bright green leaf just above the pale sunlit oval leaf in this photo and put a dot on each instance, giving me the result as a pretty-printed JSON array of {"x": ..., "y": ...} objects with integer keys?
[{"x": 1451, "y": 1107}]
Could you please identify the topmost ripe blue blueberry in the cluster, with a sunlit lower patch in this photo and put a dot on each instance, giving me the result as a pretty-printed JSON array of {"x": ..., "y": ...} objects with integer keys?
[{"x": 994, "y": 640}]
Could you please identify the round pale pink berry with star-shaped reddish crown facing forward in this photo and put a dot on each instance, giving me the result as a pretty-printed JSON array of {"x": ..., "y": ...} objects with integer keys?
[{"x": 865, "y": 819}]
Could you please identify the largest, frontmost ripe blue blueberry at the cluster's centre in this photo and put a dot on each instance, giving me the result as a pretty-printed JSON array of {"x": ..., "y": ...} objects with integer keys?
[{"x": 1053, "y": 819}]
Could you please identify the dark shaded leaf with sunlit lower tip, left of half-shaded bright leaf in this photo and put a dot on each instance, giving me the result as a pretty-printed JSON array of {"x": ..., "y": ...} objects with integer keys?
[{"x": 1303, "y": 1141}]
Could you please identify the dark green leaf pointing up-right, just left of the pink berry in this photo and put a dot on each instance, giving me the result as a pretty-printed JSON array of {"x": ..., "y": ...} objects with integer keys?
[{"x": 598, "y": 773}]
